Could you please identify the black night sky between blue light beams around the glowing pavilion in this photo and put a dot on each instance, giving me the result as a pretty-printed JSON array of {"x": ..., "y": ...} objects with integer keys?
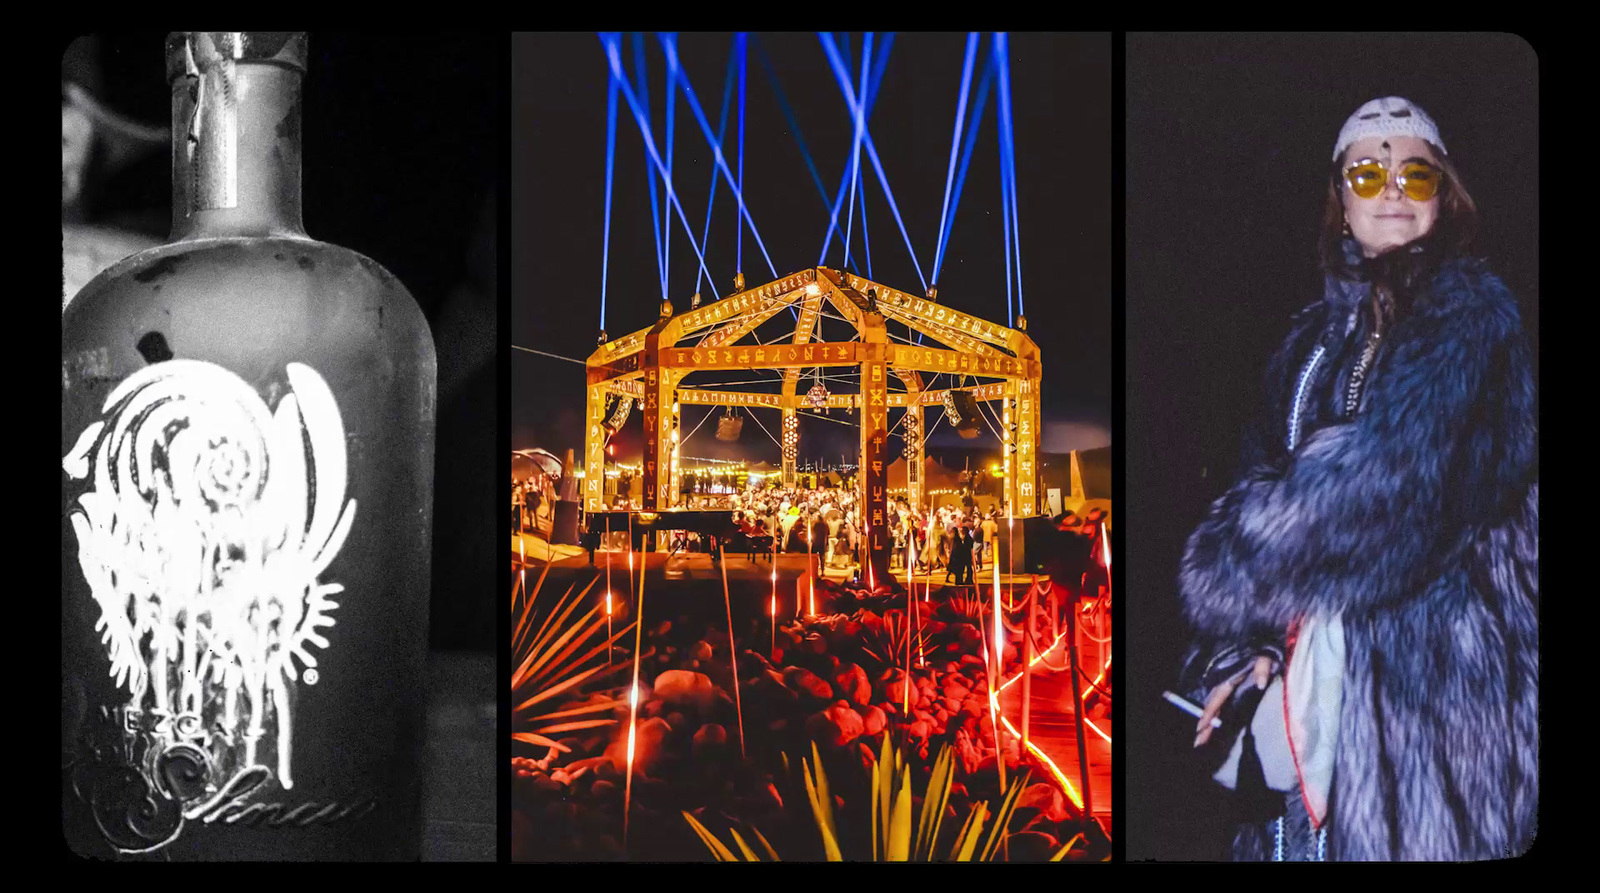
[{"x": 1062, "y": 111}]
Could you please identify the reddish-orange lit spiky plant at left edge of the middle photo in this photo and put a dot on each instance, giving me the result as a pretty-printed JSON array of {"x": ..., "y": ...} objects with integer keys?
[{"x": 554, "y": 660}]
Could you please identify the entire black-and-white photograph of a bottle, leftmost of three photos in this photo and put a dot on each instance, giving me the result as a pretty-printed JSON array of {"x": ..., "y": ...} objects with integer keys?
[{"x": 279, "y": 434}]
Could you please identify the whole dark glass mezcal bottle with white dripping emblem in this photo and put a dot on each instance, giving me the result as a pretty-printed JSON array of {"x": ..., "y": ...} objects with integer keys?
[{"x": 247, "y": 439}]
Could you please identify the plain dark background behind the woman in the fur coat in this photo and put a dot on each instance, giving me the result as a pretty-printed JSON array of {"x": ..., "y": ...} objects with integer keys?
[{"x": 1228, "y": 146}]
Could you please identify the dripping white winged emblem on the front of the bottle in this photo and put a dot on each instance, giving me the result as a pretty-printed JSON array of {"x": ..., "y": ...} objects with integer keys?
[{"x": 204, "y": 535}]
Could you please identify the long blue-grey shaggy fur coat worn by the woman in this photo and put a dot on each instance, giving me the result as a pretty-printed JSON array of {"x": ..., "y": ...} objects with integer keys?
[{"x": 1417, "y": 519}]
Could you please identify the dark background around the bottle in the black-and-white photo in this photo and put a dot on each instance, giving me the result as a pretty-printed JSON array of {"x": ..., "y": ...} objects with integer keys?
[{"x": 402, "y": 150}]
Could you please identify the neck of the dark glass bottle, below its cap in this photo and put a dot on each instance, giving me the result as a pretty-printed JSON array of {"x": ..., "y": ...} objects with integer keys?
[{"x": 238, "y": 151}]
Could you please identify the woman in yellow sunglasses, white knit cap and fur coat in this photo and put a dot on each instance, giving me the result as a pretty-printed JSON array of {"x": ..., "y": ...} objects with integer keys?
[{"x": 1377, "y": 563}]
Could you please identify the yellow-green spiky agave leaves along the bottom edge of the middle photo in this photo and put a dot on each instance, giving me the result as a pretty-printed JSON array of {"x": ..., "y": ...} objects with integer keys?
[{"x": 892, "y": 817}]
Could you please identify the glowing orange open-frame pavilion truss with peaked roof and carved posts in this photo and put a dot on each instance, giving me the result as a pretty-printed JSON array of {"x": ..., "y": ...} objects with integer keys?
[{"x": 652, "y": 366}]
